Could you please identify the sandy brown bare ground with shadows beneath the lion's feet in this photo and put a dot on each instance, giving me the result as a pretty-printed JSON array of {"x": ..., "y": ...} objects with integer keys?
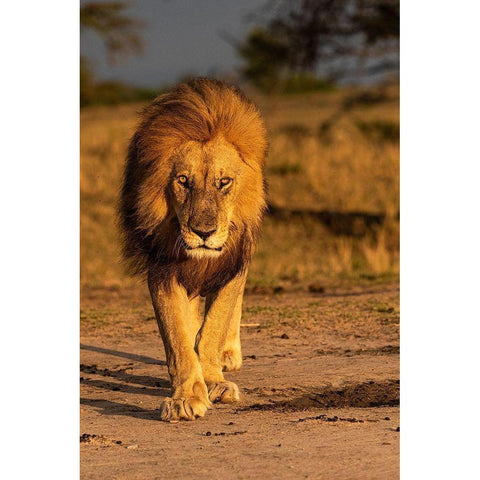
[{"x": 320, "y": 391}]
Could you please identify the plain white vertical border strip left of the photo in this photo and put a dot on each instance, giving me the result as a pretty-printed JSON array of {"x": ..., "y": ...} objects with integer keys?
[{"x": 39, "y": 196}]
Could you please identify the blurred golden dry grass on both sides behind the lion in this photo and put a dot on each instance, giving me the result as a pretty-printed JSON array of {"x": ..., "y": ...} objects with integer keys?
[{"x": 353, "y": 166}]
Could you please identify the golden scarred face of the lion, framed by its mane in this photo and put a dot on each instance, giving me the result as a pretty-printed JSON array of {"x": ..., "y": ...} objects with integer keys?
[{"x": 205, "y": 184}]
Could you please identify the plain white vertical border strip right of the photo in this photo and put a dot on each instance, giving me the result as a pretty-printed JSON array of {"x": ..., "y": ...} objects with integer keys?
[{"x": 439, "y": 239}]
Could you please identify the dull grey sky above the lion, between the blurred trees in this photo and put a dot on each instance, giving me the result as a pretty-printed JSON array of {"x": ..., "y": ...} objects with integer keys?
[{"x": 180, "y": 37}]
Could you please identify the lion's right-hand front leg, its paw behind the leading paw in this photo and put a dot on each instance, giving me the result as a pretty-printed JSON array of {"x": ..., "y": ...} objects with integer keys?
[{"x": 213, "y": 337}]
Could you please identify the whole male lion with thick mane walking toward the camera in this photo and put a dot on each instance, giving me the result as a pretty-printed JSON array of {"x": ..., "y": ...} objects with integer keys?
[{"x": 192, "y": 203}]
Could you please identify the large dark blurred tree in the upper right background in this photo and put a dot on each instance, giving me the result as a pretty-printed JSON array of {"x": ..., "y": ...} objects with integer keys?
[{"x": 304, "y": 34}]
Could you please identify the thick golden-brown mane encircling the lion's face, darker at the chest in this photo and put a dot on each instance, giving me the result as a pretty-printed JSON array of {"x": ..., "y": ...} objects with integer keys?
[{"x": 198, "y": 110}]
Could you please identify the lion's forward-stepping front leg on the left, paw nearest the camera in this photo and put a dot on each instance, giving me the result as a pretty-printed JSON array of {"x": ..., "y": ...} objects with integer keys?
[{"x": 173, "y": 311}]
